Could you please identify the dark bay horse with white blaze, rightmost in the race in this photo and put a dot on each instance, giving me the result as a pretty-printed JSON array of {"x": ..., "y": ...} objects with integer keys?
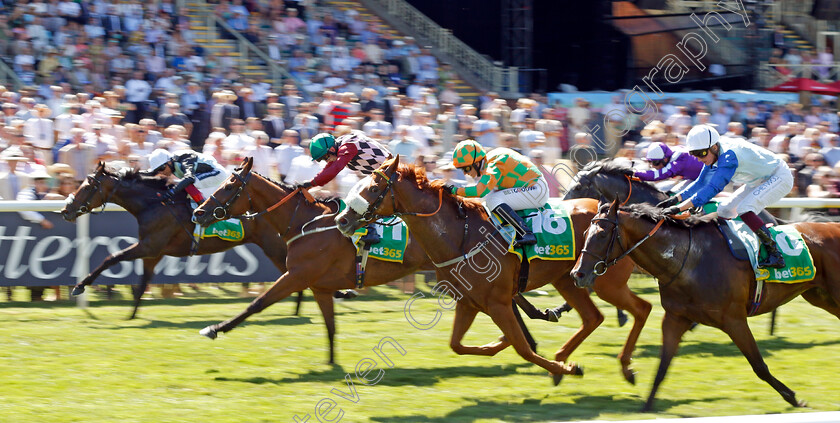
[{"x": 700, "y": 281}]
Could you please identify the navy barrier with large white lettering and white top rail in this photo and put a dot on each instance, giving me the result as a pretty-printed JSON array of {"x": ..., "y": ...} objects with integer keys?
[{"x": 33, "y": 256}]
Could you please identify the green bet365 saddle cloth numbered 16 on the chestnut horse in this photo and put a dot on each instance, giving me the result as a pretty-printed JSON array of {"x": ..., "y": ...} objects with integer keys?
[{"x": 552, "y": 225}]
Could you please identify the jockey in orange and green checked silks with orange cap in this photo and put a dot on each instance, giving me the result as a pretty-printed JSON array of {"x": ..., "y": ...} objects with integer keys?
[{"x": 508, "y": 179}]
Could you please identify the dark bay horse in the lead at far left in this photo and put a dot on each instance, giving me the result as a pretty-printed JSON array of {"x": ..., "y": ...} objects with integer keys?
[{"x": 163, "y": 229}]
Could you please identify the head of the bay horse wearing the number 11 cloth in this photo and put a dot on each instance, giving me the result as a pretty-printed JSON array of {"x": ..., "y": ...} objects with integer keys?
[{"x": 223, "y": 203}]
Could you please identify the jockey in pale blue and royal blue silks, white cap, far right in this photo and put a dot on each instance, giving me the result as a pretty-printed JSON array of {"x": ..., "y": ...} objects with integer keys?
[{"x": 766, "y": 179}]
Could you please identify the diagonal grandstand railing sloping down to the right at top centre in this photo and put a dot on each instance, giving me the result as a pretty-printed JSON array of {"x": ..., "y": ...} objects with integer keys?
[{"x": 490, "y": 74}]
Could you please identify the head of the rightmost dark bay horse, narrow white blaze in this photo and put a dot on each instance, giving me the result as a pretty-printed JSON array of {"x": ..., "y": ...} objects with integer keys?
[{"x": 601, "y": 239}]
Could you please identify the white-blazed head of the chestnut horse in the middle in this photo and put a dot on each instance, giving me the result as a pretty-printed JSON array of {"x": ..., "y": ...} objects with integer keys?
[{"x": 366, "y": 200}]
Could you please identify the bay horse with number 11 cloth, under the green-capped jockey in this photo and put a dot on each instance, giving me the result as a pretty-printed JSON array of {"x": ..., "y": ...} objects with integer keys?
[{"x": 322, "y": 259}]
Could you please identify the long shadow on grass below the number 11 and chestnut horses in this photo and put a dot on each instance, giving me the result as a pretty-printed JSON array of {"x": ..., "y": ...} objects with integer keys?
[{"x": 393, "y": 377}]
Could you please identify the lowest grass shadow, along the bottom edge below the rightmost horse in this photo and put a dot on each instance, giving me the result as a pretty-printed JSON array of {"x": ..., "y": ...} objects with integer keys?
[{"x": 584, "y": 408}]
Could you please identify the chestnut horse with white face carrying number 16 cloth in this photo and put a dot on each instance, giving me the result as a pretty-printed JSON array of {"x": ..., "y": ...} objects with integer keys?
[{"x": 458, "y": 231}]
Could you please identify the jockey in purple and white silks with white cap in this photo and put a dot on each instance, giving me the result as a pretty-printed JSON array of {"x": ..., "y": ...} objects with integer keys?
[{"x": 667, "y": 163}]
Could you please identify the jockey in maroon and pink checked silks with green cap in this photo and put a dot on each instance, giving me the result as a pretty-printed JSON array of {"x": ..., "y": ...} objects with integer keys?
[{"x": 356, "y": 151}]
